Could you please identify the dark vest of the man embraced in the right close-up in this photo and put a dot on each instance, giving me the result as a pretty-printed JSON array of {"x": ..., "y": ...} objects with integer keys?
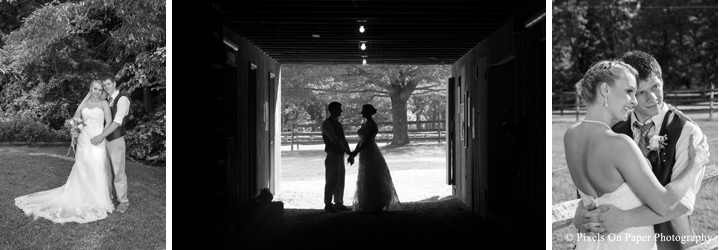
[{"x": 662, "y": 165}]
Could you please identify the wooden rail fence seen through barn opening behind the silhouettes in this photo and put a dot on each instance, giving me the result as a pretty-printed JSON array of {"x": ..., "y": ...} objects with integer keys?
[{"x": 423, "y": 131}]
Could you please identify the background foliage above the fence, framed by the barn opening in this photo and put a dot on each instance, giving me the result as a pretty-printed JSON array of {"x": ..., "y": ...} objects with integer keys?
[{"x": 400, "y": 93}]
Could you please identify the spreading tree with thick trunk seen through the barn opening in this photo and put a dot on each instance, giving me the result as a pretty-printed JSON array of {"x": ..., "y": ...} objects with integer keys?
[{"x": 355, "y": 85}]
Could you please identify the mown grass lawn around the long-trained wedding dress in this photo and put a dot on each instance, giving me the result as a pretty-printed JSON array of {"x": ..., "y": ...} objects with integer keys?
[{"x": 25, "y": 170}]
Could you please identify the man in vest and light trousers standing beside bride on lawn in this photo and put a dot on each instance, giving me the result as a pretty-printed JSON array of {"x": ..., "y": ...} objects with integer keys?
[{"x": 115, "y": 135}]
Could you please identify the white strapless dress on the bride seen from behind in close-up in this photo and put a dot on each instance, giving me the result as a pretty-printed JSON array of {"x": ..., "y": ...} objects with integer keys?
[{"x": 630, "y": 238}]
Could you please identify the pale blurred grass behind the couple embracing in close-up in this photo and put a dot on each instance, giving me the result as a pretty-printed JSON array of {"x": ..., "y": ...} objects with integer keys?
[{"x": 704, "y": 219}]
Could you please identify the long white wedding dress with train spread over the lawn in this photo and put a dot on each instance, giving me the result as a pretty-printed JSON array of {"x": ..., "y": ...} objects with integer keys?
[{"x": 85, "y": 196}]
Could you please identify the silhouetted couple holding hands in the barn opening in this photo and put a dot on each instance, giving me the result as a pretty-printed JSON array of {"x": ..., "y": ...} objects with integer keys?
[{"x": 375, "y": 189}]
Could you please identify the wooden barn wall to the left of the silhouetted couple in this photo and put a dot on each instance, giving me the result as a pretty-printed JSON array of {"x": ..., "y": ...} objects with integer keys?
[{"x": 258, "y": 94}]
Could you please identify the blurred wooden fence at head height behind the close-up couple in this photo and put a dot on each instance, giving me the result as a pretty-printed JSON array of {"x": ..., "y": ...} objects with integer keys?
[{"x": 562, "y": 101}]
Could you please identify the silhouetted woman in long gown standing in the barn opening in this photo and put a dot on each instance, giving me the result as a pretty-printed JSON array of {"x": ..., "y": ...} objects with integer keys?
[{"x": 375, "y": 189}]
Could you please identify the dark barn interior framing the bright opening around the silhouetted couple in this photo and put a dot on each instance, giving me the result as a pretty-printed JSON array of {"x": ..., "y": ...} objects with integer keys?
[{"x": 227, "y": 68}]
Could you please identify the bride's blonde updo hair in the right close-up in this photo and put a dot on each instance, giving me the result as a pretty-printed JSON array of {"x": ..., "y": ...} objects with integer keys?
[{"x": 603, "y": 71}]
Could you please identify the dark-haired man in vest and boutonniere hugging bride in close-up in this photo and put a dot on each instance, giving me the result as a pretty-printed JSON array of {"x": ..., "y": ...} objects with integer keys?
[{"x": 652, "y": 117}]
